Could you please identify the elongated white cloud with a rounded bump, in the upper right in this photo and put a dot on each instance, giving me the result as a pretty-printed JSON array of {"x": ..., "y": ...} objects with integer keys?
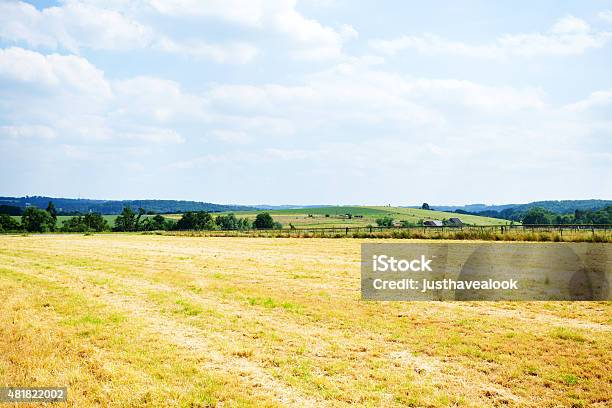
[{"x": 568, "y": 36}]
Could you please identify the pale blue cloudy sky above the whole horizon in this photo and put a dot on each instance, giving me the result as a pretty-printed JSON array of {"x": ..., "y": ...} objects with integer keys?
[{"x": 307, "y": 102}]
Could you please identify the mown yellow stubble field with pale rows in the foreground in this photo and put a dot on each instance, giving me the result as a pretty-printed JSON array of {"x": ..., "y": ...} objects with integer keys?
[{"x": 133, "y": 320}]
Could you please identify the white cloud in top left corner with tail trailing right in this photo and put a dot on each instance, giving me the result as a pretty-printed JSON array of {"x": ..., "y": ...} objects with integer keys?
[{"x": 76, "y": 25}]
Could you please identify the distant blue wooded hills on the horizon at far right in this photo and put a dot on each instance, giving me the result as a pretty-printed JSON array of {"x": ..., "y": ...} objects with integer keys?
[{"x": 560, "y": 207}]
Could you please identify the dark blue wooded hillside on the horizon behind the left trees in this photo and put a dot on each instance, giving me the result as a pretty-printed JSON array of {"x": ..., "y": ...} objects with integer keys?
[{"x": 72, "y": 205}]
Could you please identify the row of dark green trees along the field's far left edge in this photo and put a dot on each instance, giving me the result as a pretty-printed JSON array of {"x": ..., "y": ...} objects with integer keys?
[{"x": 37, "y": 220}]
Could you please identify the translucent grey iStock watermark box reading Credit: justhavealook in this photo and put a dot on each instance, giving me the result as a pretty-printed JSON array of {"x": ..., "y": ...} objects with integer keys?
[{"x": 486, "y": 271}]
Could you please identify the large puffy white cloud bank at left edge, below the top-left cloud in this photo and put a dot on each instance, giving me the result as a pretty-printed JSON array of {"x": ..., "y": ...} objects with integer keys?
[{"x": 69, "y": 99}]
